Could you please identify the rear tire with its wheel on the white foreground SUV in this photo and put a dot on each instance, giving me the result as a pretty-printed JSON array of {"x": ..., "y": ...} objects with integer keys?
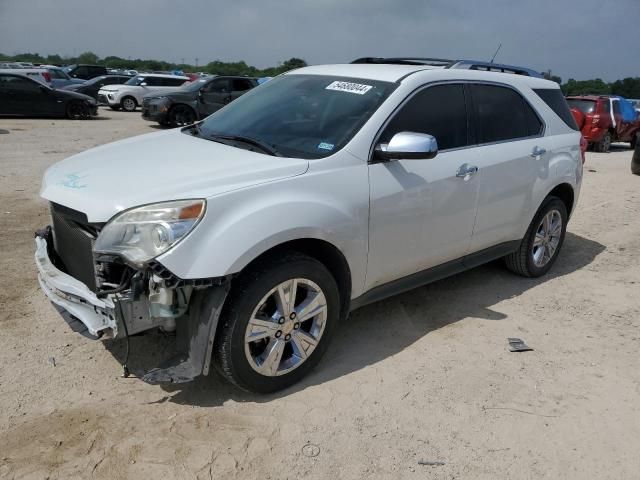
[{"x": 527, "y": 260}]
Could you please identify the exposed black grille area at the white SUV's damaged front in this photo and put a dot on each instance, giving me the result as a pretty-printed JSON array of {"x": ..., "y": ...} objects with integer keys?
[{"x": 73, "y": 239}]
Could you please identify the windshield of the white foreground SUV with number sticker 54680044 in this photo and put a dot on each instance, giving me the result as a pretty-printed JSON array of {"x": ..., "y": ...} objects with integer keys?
[{"x": 305, "y": 116}]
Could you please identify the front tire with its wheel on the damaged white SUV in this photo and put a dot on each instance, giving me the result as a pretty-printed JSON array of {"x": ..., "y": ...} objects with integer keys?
[{"x": 247, "y": 363}]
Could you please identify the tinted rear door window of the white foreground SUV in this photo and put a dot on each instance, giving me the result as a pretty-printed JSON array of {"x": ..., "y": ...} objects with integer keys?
[{"x": 502, "y": 114}]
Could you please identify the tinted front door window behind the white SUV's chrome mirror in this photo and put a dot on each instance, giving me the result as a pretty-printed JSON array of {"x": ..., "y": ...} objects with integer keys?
[{"x": 439, "y": 111}]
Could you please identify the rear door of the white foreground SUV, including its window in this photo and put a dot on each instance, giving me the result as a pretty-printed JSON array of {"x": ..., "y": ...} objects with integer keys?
[{"x": 512, "y": 156}]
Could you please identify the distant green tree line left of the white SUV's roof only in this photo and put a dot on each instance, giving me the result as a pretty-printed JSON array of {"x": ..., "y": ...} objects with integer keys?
[{"x": 216, "y": 67}]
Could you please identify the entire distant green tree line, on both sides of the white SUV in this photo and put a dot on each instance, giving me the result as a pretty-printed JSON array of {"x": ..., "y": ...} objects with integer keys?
[{"x": 626, "y": 87}]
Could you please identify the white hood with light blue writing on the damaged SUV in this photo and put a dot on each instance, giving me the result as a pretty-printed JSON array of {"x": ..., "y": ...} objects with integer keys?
[{"x": 158, "y": 167}]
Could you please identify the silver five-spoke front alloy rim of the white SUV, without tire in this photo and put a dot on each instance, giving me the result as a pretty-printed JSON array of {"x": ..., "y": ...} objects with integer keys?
[{"x": 285, "y": 327}]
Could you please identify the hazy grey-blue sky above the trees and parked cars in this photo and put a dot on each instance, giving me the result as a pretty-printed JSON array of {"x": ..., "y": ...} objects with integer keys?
[{"x": 579, "y": 39}]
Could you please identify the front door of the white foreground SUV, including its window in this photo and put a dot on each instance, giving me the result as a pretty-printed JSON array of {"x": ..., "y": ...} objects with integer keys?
[{"x": 422, "y": 212}]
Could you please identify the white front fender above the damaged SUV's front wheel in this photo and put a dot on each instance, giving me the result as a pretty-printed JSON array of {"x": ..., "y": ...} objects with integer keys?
[{"x": 238, "y": 226}]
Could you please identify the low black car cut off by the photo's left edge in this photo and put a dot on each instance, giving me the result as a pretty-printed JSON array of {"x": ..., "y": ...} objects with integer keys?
[{"x": 21, "y": 95}]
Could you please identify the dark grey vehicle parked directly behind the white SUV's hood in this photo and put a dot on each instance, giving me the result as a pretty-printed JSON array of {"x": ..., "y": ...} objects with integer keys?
[{"x": 195, "y": 100}]
